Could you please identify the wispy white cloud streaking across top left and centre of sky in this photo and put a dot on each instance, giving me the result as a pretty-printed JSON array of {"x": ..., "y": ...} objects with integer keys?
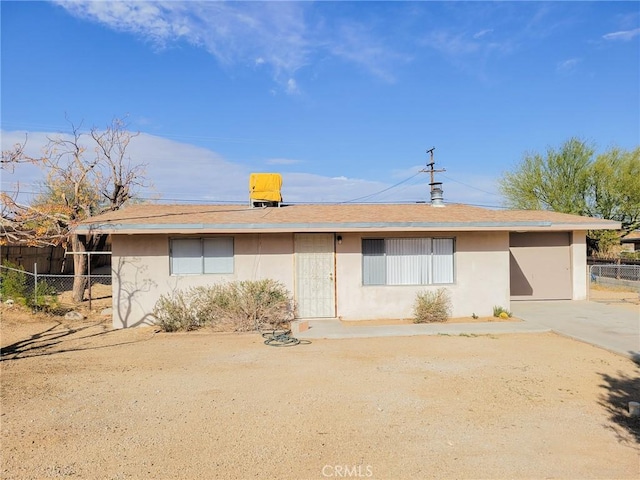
[{"x": 278, "y": 34}]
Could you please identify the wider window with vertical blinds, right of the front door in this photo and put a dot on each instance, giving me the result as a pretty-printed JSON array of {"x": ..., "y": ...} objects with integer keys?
[{"x": 407, "y": 261}]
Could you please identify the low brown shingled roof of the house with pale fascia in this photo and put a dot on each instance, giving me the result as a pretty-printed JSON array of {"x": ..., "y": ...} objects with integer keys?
[{"x": 196, "y": 219}]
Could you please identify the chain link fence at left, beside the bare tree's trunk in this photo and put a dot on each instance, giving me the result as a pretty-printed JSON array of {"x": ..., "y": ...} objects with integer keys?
[{"x": 36, "y": 288}]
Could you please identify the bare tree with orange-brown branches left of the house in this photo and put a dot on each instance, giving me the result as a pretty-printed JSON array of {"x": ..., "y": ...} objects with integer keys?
[{"x": 80, "y": 181}]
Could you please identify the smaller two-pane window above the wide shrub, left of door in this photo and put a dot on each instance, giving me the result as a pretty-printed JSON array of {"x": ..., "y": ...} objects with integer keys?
[{"x": 194, "y": 256}]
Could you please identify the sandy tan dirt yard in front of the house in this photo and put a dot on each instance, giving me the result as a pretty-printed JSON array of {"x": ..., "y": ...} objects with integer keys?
[{"x": 82, "y": 400}]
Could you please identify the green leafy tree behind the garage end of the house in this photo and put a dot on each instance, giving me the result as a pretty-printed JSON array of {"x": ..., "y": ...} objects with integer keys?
[{"x": 571, "y": 179}]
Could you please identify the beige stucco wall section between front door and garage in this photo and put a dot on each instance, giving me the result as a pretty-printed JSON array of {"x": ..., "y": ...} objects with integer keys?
[{"x": 481, "y": 279}]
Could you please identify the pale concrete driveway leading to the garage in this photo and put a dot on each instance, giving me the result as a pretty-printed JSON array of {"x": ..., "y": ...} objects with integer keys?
[{"x": 613, "y": 327}]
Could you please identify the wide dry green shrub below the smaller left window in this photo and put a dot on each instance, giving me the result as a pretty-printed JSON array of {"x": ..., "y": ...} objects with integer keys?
[{"x": 239, "y": 306}]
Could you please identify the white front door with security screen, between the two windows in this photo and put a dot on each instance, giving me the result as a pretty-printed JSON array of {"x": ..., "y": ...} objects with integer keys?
[{"x": 315, "y": 274}]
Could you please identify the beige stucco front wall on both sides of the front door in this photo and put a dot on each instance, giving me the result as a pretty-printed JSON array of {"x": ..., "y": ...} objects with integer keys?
[{"x": 141, "y": 275}]
